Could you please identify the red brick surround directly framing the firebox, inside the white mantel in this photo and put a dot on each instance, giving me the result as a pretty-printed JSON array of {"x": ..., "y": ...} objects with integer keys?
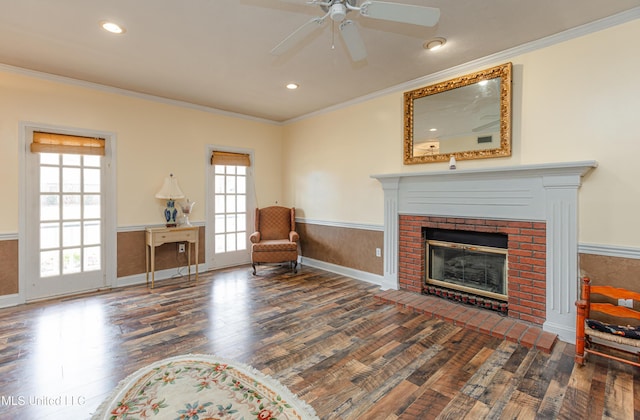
[{"x": 527, "y": 258}]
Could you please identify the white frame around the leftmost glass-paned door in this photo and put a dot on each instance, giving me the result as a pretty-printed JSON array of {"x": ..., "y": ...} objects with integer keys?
[{"x": 109, "y": 194}]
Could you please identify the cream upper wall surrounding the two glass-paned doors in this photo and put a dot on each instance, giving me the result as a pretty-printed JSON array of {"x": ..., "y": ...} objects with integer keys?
[{"x": 153, "y": 139}]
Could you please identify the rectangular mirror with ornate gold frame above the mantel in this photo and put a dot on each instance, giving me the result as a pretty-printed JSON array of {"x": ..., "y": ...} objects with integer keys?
[{"x": 468, "y": 117}]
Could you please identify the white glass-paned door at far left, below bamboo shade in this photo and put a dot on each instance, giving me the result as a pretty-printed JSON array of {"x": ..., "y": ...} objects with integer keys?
[{"x": 65, "y": 224}]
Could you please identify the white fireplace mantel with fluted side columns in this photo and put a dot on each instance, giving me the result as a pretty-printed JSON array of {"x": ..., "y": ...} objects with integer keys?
[{"x": 542, "y": 192}]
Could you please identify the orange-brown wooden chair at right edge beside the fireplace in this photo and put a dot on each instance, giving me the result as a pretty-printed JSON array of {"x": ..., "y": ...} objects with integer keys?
[{"x": 612, "y": 339}]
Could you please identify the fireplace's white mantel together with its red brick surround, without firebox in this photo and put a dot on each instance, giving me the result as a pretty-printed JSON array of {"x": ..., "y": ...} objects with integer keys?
[{"x": 535, "y": 205}]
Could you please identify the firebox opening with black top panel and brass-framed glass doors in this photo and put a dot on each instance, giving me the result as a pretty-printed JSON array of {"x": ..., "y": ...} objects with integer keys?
[{"x": 471, "y": 262}]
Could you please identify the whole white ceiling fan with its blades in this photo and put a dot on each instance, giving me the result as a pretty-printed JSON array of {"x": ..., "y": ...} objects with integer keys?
[{"x": 337, "y": 10}]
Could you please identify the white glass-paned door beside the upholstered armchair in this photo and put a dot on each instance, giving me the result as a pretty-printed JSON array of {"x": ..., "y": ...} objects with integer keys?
[{"x": 231, "y": 204}]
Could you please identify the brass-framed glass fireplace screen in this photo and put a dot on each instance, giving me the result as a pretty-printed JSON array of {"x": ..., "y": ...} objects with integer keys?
[{"x": 474, "y": 269}]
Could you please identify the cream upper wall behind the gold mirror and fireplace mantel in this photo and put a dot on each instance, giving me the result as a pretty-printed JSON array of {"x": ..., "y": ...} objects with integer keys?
[{"x": 577, "y": 100}]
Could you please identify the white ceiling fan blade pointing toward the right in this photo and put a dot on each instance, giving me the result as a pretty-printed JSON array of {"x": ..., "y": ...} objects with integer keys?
[{"x": 397, "y": 12}]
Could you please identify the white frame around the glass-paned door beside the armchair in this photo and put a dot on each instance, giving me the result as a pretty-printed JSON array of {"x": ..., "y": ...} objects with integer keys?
[{"x": 209, "y": 209}]
